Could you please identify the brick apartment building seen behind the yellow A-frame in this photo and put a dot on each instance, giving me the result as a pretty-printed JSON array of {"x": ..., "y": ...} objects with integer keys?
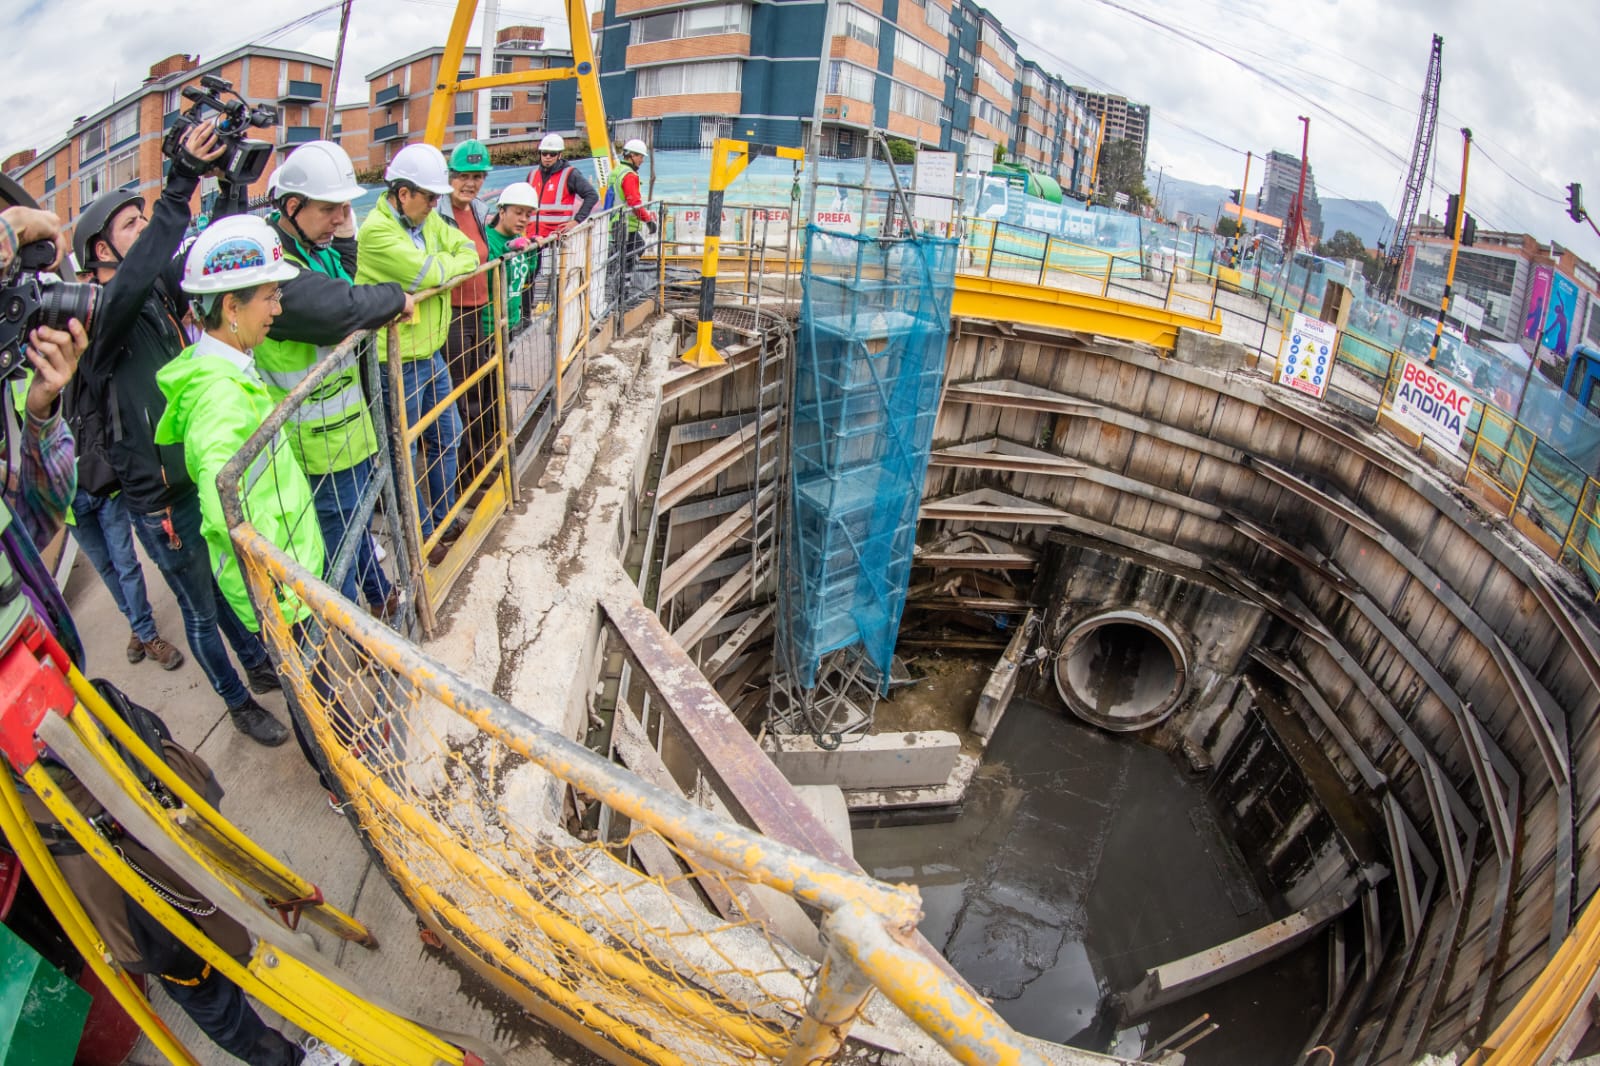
[{"x": 401, "y": 94}]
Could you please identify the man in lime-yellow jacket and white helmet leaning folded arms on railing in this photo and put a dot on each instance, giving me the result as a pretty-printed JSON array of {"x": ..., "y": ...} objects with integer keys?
[{"x": 406, "y": 241}]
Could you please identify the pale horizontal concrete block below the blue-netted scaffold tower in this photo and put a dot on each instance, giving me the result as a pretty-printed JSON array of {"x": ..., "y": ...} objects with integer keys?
[{"x": 882, "y": 761}]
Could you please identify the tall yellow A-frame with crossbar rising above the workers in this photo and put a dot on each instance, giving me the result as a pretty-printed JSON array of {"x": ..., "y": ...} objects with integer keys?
[{"x": 585, "y": 70}]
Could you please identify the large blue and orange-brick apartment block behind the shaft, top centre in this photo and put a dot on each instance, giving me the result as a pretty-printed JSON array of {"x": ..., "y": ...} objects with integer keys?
[{"x": 935, "y": 73}]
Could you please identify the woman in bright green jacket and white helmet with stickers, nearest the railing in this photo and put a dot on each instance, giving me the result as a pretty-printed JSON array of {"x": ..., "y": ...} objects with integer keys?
[{"x": 215, "y": 401}]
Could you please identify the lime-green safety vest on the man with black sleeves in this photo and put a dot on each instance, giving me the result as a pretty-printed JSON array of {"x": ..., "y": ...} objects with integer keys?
[{"x": 334, "y": 428}]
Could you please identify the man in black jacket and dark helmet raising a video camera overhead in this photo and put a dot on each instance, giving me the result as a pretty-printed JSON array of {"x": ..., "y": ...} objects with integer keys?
[{"x": 138, "y": 332}]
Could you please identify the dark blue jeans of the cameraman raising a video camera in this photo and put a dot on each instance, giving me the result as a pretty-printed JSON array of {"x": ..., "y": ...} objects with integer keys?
[{"x": 186, "y": 564}]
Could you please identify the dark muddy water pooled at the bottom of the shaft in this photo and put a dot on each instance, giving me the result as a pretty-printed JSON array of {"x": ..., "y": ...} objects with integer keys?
[{"x": 1081, "y": 860}]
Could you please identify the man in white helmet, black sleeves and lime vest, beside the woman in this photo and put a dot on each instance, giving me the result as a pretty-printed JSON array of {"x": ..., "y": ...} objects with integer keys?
[{"x": 332, "y": 433}]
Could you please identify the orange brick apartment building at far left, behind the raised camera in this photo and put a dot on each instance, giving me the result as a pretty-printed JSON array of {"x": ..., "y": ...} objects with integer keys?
[{"x": 121, "y": 146}]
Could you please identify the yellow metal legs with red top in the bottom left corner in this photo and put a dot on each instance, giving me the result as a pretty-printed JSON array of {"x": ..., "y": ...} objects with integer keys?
[{"x": 50, "y": 707}]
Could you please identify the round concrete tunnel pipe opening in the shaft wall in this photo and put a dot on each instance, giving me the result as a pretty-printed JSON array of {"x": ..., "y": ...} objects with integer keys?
[{"x": 1122, "y": 671}]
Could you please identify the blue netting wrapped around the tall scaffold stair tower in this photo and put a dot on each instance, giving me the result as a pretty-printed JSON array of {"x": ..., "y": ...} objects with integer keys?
[{"x": 874, "y": 327}]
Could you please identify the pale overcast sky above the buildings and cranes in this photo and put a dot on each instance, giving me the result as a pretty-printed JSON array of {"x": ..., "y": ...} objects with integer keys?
[{"x": 1522, "y": 76}]
